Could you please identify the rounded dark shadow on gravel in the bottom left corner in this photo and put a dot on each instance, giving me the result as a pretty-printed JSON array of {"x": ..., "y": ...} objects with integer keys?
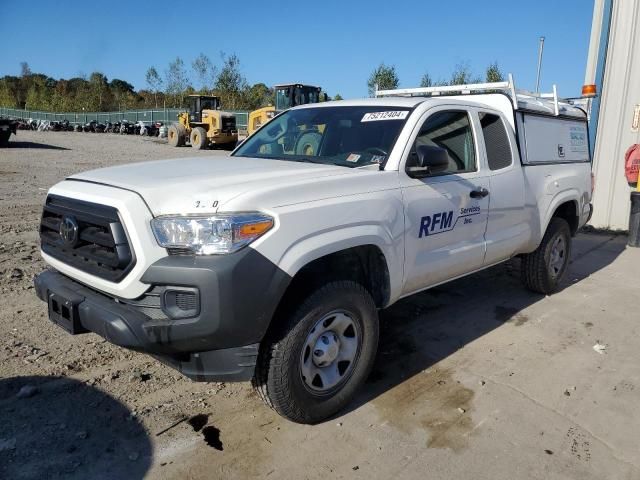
[{"x": 57, "y": 427}]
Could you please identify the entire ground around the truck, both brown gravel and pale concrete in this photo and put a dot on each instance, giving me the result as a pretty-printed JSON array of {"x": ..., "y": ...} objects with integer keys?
[{"x": 478, "y": 379}]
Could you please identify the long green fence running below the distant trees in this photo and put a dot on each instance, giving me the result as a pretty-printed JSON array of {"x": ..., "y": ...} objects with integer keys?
[{"x": 164, "y": 115}]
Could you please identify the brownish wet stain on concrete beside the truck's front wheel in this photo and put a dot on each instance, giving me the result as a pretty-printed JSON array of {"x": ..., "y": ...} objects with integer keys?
[{"x": 434, "y": 401}]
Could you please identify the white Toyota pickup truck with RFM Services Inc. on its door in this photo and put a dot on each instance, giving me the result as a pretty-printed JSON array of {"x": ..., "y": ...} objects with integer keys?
[{"x": 271, "y": 265}]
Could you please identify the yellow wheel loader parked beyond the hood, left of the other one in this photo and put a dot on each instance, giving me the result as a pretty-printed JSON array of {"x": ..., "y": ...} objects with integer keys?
[{"x": 204, "y": 125}]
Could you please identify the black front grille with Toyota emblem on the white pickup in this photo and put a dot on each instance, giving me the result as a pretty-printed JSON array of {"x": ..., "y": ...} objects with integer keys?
[{"x": 86, "y": 236}]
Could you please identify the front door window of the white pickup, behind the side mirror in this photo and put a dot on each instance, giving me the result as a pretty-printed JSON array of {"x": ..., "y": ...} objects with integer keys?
[{"x": 450, "y": 130}]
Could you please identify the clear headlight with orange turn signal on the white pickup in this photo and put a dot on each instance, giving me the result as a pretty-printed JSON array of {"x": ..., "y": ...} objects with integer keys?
[{"x": 211, "y": 235}]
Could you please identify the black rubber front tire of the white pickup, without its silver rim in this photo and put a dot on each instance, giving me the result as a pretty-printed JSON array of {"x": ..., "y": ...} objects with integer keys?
[{"x": 279, "y": 380}]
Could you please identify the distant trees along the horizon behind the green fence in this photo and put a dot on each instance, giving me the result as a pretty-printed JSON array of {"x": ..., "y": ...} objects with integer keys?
[{"x": 169, "y": 87}]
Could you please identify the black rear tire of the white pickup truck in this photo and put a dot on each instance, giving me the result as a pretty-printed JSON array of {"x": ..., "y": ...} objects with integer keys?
[{"x": 539, "y": 272}]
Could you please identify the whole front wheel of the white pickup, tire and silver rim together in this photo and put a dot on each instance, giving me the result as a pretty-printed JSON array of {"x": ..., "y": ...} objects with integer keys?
[{"x": 312, "y": 366}]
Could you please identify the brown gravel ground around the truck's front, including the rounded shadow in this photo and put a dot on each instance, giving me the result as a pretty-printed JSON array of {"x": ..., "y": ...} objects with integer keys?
[{"x": 76, "y": 377}]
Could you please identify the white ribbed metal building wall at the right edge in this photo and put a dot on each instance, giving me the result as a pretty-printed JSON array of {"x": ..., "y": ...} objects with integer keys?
[{"x": 619, "y": 96}]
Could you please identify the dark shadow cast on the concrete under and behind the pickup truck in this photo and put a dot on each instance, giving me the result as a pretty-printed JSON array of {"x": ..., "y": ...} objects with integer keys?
[{"x": 421, "y": 330}]
